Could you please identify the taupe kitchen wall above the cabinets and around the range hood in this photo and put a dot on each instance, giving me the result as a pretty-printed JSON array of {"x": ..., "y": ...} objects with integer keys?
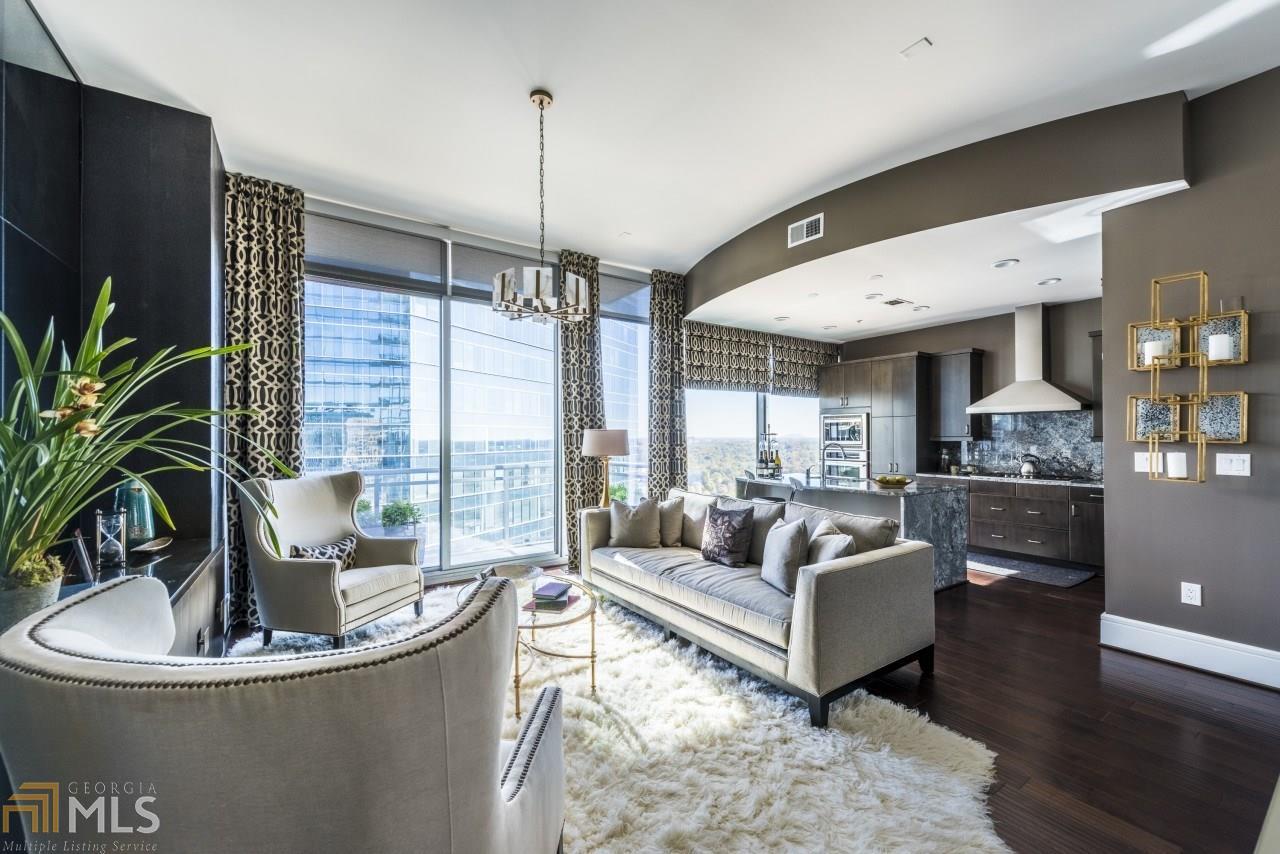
[{"x": 1071, "y": 355}]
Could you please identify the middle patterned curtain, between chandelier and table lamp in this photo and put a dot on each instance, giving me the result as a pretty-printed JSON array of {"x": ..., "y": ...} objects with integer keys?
[{"x": 582, "y": 399}]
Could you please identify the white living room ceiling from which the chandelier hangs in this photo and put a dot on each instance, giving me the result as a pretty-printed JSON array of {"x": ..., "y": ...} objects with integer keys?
[{"x": 678, "y": 122}]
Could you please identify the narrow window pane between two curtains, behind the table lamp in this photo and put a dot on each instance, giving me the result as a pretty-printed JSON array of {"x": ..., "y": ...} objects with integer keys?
[{"x": 625, "y": 359}]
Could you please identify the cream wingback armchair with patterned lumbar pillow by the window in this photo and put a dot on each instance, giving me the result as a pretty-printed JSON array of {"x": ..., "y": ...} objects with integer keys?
[{"x": 318, "y": 596}]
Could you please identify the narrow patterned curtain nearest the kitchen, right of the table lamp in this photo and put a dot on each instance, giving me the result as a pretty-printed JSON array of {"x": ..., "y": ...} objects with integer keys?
[{"x": 668, "y": 450}]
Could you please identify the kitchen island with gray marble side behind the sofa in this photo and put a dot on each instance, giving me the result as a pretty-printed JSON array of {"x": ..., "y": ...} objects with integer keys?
[{"x": 934, "y": 514}]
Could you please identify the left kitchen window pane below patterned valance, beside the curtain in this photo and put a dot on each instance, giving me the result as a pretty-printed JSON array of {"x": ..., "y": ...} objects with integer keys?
[{"x": 721, "y": 435}]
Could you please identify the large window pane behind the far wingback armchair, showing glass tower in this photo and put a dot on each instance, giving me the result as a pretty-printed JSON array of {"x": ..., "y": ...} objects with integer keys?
[{"x": 373, "y": 403}]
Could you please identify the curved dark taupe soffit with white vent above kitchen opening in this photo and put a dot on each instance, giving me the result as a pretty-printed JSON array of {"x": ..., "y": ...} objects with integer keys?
[{"x": 1118, "y": 148}]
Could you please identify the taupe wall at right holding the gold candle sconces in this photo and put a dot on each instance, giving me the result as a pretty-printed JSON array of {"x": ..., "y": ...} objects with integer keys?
[{"x": 1224, "y": 533}]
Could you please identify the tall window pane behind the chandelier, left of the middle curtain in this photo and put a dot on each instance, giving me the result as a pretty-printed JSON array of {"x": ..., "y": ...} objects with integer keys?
[{"x": 502, "y": 439}]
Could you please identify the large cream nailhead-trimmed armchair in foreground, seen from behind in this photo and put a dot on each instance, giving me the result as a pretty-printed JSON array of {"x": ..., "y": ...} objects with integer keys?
[{"x": 391, "y": 747}]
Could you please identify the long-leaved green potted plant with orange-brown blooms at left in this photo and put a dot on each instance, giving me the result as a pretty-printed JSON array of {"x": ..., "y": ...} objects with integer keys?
[{"x": 70, "y": 437}]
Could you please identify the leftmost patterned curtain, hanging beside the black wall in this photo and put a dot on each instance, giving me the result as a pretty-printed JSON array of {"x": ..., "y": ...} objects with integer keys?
[{"x": 263, "y": 299}]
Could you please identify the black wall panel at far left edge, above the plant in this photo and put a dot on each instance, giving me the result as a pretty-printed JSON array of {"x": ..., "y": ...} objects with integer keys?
[{"x": 40, "y": 185}]
